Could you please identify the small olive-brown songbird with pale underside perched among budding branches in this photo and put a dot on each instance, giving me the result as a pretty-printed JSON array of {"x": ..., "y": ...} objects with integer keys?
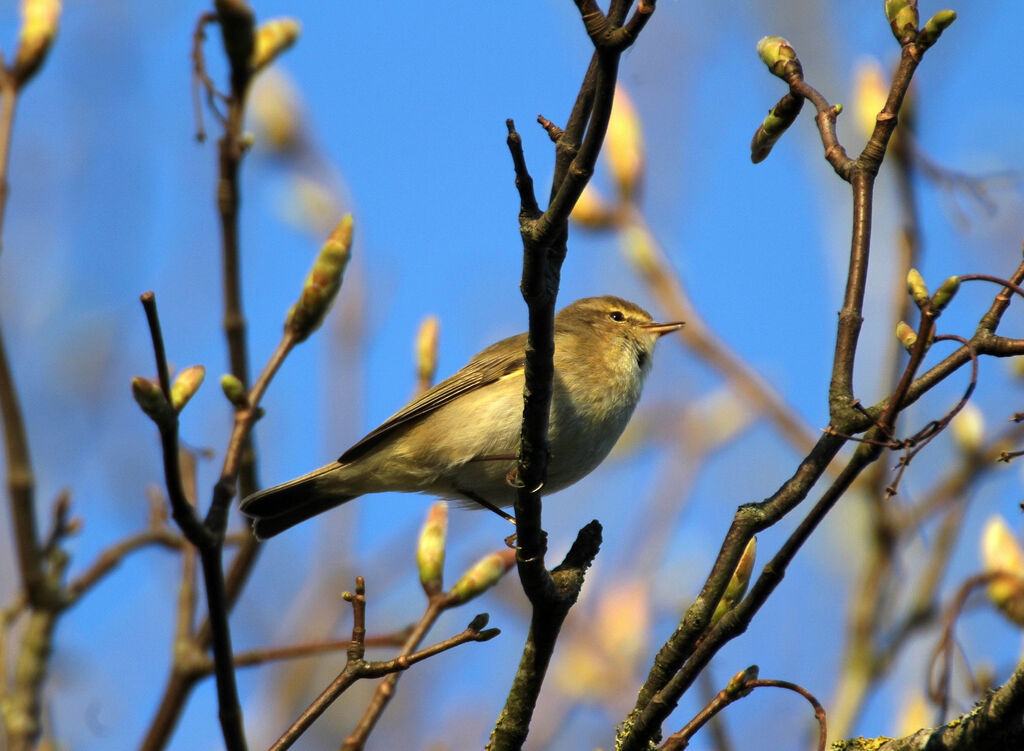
[{"x": 459, "y": 441}]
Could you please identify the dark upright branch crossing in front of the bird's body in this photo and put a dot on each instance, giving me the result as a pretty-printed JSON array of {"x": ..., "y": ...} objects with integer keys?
[{"x": 544, "y": 238}]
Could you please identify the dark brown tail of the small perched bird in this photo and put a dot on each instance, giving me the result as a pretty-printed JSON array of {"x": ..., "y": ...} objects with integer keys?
[{"x": 276, "y": 510}]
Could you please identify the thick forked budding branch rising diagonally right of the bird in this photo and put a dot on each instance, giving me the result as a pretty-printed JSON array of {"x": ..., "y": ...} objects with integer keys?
[{"x": 695, "y": 643}]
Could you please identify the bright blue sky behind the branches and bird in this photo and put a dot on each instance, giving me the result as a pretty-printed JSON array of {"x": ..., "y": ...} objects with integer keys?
[{"x": 112, "y": 196}]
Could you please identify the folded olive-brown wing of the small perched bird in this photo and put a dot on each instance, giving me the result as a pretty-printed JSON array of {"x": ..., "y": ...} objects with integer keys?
[{"x": 487, "y": 367}]
